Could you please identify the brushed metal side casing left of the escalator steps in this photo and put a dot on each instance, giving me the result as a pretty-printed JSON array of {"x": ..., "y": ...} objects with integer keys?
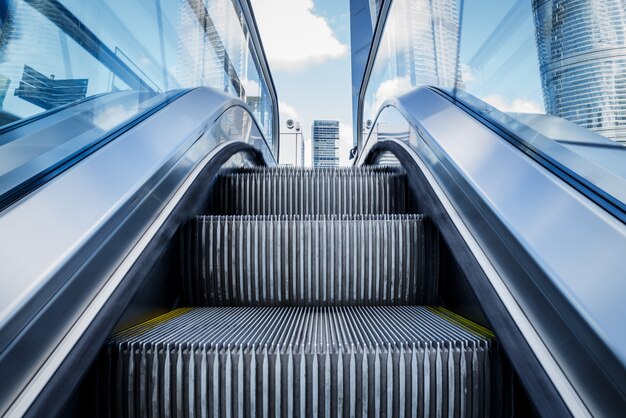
[{"x": 80, "y": 231}]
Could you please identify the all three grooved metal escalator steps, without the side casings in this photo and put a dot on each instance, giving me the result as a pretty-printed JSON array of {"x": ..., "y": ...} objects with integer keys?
[{"x": 309, "y": 293}]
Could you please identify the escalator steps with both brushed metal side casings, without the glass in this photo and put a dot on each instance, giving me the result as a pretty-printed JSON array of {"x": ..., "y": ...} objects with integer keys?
[{"x": 206, "y": 280}]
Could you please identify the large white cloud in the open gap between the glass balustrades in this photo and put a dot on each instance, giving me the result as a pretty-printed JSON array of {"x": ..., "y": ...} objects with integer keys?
[{"x": 294, "y": 37}]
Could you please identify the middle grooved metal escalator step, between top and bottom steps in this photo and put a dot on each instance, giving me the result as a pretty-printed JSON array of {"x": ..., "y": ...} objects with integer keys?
[{"x": 310, "y": 261}]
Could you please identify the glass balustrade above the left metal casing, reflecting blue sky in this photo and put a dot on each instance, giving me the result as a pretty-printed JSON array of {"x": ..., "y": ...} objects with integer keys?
[{"x": 73, "y": 71}]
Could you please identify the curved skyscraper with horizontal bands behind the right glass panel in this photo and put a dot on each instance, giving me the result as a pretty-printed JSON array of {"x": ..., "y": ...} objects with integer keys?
[{"x": 582, "y": 57}]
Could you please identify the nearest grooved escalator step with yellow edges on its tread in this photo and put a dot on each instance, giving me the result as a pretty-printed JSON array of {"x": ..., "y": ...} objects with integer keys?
[{"x": 283, "y": 362}]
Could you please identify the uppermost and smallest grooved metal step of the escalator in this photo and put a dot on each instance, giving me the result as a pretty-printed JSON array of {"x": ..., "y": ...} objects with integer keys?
[{"x": 305, "y": 191}]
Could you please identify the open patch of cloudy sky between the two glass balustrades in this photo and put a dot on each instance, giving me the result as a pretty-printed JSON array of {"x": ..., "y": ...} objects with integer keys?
[{"x": 307, "y": 44}]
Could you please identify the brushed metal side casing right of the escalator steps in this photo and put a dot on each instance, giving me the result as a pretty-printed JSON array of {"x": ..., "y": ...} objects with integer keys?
[{"x": 555, "y": 255}]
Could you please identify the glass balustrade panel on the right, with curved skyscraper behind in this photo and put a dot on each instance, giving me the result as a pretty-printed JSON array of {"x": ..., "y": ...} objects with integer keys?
[{"x": 552, "y": 72}]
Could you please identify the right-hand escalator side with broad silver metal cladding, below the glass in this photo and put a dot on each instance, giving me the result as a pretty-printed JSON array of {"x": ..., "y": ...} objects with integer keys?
[{"x": 595, "y": 338}]
